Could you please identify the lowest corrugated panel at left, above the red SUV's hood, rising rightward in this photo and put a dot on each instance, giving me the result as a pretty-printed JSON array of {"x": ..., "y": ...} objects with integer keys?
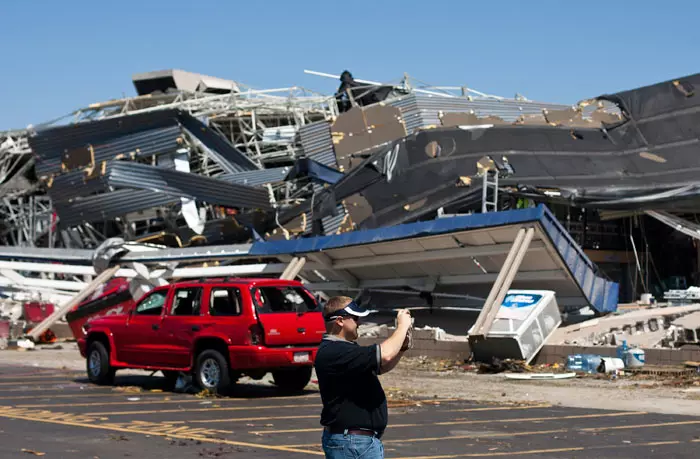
[{"x": 108, "y": 206}]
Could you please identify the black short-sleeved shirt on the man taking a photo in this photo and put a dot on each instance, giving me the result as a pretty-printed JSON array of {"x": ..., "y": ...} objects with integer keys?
[{"x": 352, "y": 395}]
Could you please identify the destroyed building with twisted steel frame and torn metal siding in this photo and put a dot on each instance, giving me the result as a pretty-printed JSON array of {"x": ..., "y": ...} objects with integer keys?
[{"x": 196, "y": 161}]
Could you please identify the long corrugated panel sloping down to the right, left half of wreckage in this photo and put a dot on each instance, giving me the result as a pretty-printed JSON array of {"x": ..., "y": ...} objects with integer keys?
[{"x": 182, "y": 184}]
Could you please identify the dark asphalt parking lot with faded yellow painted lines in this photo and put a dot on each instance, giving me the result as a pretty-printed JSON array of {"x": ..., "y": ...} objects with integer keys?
[{"x": 58, "y": 414}]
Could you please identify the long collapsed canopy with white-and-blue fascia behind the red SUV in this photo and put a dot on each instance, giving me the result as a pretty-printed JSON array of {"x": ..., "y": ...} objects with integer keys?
[{"x": 456, "y": 257}]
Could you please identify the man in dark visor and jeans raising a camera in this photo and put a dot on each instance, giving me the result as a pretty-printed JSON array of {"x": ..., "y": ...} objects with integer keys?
[{"x": 354, "y": 412}]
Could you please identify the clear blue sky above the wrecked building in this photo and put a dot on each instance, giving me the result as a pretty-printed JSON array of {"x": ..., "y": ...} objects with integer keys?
[{"x": 57, "y": 56}]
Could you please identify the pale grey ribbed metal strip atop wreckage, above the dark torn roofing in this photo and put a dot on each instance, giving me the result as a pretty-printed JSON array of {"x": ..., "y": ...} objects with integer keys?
[{"x": 422, "y": 110}]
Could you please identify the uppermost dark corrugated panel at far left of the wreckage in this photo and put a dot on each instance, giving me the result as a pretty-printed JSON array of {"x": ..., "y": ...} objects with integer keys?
[{"x": 150, "y": 133}]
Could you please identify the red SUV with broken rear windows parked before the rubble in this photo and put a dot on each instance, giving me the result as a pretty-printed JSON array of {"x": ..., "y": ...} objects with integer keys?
[{"x": 218, "y": 330}]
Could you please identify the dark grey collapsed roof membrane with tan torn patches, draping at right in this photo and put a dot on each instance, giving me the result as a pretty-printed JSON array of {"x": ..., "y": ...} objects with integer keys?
[{"x": 644, "y": 158}]
